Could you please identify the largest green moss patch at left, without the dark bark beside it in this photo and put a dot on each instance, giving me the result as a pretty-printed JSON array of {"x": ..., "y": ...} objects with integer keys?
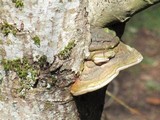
[{"x": 26, "y": 71}]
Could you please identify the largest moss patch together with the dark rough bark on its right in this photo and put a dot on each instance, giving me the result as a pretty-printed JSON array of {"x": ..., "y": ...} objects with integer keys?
[{"x": 29, "y": 74}]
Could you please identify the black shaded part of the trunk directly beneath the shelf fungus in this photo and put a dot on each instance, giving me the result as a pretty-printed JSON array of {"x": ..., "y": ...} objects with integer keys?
[{"x": 90, "y": 105}]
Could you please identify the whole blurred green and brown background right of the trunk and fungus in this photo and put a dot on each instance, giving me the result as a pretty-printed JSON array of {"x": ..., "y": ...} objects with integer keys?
[{"x": 139, "y": 86}]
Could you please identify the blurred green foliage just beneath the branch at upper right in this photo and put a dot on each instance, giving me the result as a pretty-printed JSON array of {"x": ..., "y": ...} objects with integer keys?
[{"x": 148, "y": 19}]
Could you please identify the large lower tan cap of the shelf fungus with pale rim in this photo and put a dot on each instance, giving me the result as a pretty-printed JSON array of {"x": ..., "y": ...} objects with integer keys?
[{"x": 94, "y": 77}]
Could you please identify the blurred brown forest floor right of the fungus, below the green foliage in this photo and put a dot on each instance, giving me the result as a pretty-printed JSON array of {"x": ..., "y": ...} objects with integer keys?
[{"x": 139, "y": 86}]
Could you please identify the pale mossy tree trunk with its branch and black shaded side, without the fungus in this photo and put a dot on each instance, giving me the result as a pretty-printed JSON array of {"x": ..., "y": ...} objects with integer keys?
[{"x": 43, "y": 44}]
